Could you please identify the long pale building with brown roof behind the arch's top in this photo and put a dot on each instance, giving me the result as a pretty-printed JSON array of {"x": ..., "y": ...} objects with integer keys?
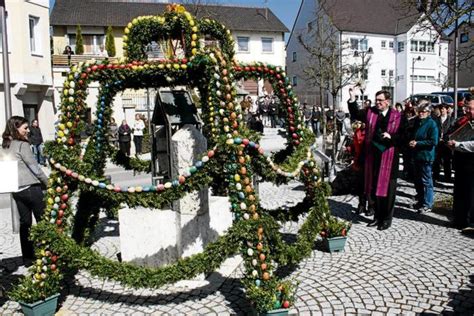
[{"x": 258, "y": 35}]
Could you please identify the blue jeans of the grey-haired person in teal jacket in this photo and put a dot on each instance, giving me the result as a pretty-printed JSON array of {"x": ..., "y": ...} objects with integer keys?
[{"x": 424, "y": 183}]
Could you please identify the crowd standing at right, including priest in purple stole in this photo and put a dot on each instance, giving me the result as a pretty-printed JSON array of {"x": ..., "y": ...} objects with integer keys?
[{"x": 429, "y": 139}]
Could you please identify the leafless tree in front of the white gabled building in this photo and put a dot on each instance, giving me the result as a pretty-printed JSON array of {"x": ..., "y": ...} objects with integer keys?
[{"x": 328, "y": 67}]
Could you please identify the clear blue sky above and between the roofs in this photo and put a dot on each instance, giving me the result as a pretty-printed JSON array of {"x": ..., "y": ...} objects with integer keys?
[{"x": 285, "y": 10}]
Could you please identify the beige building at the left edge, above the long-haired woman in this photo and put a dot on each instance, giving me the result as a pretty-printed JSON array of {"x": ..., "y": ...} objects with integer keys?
[{"x": 30, "y": 63}]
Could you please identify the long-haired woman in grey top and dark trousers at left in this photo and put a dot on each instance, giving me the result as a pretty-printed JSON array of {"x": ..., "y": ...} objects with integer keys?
[{"x": 31, "y": 181}]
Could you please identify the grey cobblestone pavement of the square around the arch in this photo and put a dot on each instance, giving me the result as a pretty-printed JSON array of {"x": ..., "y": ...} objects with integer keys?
[{"x": 419, "y": 265}]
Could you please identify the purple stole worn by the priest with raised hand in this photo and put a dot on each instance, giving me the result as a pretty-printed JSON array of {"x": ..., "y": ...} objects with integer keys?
[{"x": 387, "y": 155}]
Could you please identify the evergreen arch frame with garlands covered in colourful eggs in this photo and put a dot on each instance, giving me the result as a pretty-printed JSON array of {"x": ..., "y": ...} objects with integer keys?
[{"x": 234, "y": 157}]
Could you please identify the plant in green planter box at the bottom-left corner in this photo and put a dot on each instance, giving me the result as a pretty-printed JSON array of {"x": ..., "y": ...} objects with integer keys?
[{"x": 35, "y": 296}]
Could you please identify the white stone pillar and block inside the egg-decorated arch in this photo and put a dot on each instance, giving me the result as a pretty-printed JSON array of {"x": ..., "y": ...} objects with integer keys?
[{"x": 158, "y": 237}]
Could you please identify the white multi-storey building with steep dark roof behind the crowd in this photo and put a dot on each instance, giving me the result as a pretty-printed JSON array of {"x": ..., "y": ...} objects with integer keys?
[{"x": 398, "y": 54}]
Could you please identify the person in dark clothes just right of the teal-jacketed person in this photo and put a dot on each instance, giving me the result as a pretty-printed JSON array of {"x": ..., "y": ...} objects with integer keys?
[{"x": 444, "y": 154}]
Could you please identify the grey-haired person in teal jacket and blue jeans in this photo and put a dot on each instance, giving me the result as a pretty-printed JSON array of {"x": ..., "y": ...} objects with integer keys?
[{"x": 423, "y": 143}]
